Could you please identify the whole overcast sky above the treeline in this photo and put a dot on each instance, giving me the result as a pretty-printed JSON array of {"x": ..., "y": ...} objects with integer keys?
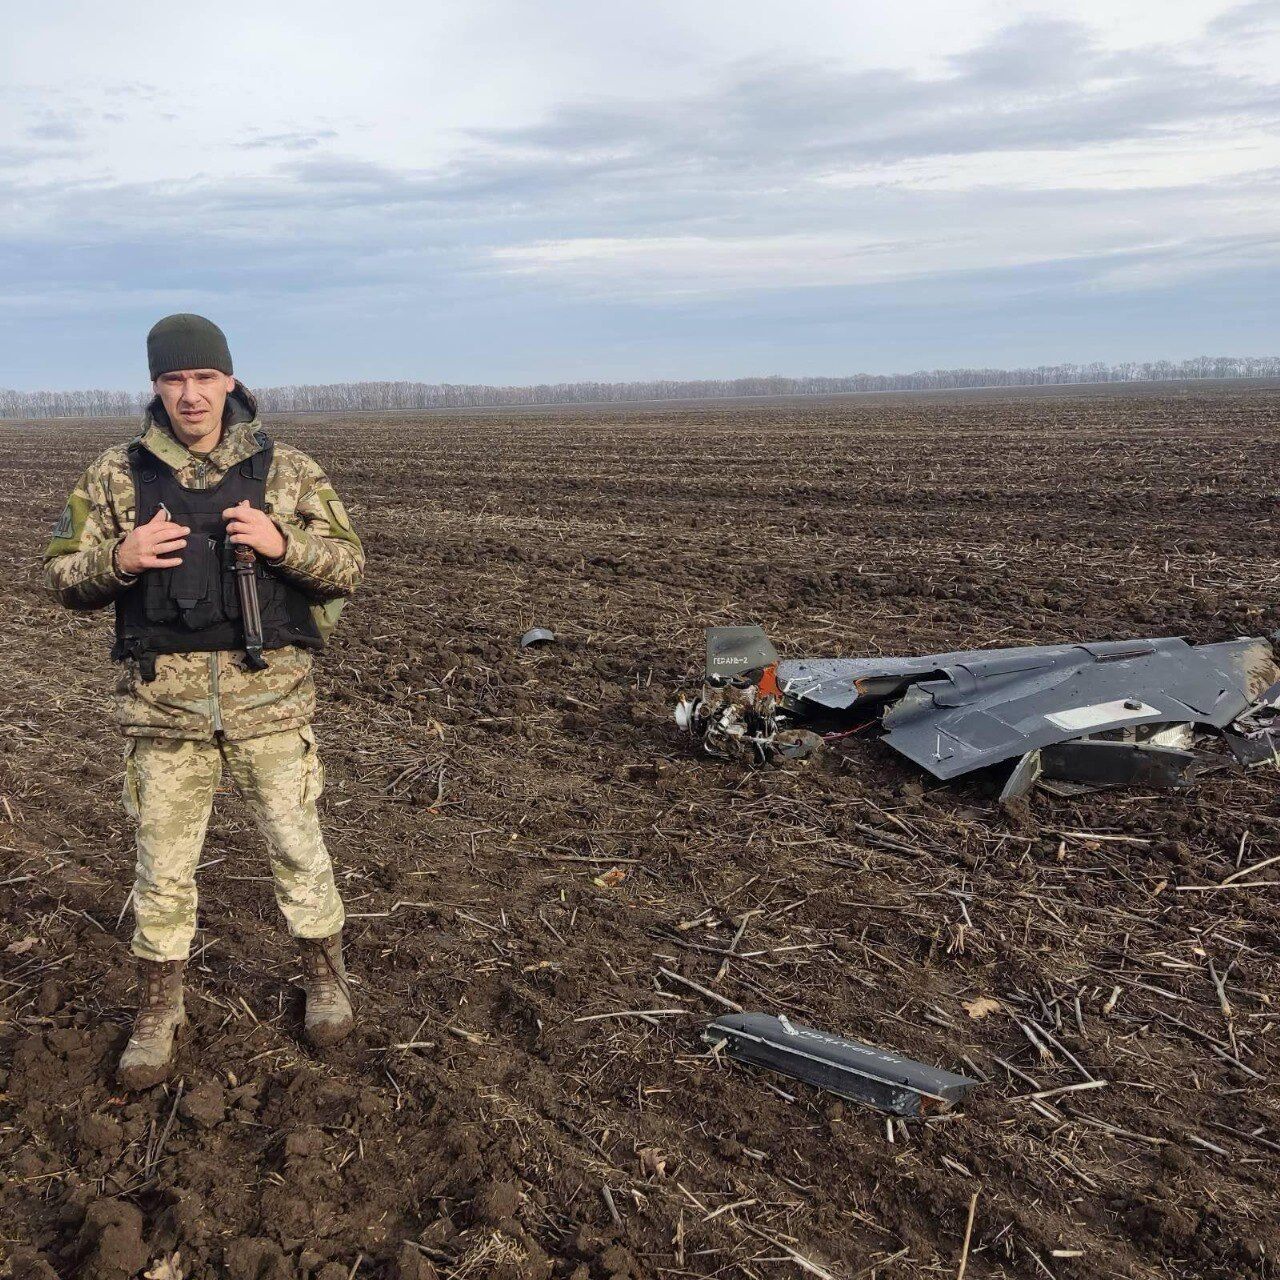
[{"x": 508, "y": 193}]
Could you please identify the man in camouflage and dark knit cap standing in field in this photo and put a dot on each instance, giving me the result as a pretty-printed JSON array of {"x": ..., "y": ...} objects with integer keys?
[{"x": 156, "y": 528}]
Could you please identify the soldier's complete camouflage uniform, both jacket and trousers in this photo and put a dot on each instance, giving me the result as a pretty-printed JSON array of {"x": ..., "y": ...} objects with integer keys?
[{"x": 207, "y": 710}]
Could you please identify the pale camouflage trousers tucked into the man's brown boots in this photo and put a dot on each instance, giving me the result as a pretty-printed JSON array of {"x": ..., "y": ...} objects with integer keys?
[{"x": 170, "y": 788}]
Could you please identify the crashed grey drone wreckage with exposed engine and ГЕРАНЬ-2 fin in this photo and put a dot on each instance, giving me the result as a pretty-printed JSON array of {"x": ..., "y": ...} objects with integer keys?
[{"x": 1072, "y": 717}]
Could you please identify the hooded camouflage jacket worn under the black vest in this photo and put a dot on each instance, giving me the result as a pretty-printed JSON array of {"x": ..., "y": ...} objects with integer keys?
[{"x": 196, "y": 696}]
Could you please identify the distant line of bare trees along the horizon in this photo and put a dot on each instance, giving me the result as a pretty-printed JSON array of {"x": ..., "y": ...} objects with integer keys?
[{"x": 356, "y": 397}]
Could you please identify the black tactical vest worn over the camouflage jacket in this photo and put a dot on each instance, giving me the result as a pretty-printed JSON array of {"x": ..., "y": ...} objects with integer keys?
[{"x": 195, "y": 607}]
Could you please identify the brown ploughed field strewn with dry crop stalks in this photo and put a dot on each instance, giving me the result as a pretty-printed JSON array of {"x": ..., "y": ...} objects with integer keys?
[{"x": 525, "y": 843}]
